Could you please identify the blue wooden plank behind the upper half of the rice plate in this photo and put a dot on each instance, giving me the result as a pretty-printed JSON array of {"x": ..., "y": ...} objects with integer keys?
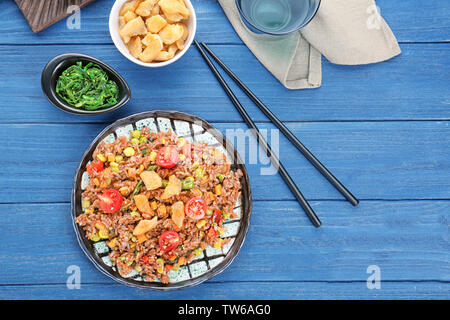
[{"x": 375, "y": 160}]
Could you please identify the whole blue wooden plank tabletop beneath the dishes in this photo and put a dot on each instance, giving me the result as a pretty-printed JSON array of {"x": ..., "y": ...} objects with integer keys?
[{"x": 382, "y": 129}]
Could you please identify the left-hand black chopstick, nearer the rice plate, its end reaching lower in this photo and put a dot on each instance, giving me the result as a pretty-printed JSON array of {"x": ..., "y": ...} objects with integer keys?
[{"x": 266, "y": 147}]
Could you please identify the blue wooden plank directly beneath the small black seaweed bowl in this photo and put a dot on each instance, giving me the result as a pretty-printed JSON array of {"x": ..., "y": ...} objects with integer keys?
[{"x": 413, "y": 86}]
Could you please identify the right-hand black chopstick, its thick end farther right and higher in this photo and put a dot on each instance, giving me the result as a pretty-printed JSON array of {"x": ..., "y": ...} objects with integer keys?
[{"x": 291, "y": 137}]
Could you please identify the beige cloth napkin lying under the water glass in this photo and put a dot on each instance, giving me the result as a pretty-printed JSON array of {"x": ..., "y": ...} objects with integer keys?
[{"x": 348, "y": 32}]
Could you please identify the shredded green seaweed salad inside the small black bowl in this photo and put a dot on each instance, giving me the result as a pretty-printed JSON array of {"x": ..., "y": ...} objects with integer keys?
[{"x": 88, "y": 88}]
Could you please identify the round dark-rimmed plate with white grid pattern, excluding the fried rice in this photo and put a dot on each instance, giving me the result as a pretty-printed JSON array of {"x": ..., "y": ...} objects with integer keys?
[{"x": 212, "y": 261}]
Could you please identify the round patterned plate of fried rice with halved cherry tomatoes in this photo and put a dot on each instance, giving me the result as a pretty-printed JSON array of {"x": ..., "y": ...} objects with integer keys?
[{"x": 161, "y": 200}]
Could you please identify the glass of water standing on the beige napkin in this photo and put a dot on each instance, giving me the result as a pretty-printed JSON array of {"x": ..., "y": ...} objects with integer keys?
[{"x": 277, "y": 17}]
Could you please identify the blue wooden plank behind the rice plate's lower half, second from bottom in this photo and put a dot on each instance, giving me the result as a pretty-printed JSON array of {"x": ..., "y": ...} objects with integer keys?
[{"x": 408, "y": 240}]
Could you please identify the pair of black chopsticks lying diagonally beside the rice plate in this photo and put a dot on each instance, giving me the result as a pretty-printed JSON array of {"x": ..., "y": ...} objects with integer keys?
[{"x": 266, "y": 147}]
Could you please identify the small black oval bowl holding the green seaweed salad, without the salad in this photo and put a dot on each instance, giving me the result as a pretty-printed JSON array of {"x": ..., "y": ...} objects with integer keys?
[{"x": 58, "y": 64}]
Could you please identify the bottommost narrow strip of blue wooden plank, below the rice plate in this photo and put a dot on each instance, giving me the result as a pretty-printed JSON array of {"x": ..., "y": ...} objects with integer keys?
[{"x": 238, "y": 291}]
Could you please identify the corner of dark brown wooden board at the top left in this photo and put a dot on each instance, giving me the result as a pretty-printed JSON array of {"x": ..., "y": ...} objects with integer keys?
[{"x": 42, "y": 13}]
